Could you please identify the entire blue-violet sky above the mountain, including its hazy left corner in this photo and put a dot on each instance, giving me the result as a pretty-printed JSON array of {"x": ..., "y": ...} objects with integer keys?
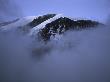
[{"x": 92, "y": 9}]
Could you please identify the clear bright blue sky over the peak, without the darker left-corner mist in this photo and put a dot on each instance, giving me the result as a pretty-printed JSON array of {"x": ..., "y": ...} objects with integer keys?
[{"x": 93, "y": 9}]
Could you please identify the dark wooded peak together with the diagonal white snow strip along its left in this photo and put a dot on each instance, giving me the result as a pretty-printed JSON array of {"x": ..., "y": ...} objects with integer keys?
[{"x": 59, "y": 24}]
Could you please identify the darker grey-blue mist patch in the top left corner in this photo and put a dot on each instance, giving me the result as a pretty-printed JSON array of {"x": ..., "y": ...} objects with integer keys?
[{"x": 9, "y": 10}]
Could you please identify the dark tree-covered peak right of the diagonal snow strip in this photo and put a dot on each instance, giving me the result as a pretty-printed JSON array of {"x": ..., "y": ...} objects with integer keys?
[{"x": 63, "y": 24}]
